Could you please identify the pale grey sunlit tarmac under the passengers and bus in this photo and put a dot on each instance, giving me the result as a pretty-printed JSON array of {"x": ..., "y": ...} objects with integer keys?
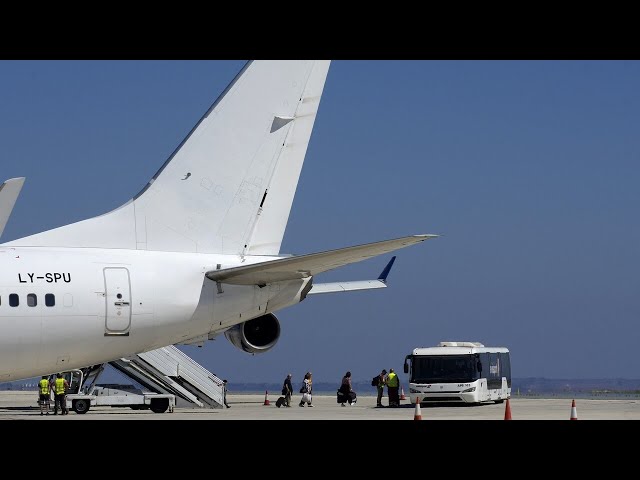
[{"x": 21, "y": 405}]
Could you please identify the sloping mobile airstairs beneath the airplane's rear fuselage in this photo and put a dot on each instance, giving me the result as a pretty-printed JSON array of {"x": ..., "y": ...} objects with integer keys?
[{"x": 165, "y": 371}]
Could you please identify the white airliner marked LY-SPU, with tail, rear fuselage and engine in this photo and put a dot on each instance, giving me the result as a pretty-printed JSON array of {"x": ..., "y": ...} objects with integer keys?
[{"x": 196, "y": 253}]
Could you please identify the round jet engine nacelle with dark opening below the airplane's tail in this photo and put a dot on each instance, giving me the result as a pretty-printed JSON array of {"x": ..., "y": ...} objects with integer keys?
[{"x": 255, "y": 336}]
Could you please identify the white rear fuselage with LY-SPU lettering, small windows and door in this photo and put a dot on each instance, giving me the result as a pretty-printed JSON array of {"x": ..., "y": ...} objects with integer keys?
[{"x": 63, "y": 308}]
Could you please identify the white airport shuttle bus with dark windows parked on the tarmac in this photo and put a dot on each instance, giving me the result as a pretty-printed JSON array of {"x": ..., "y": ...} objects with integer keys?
[{"x": 465, "y": 372}]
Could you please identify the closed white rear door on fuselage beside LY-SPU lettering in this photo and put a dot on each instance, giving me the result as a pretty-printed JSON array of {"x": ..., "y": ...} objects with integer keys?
[{"x": 118, "y": 301}]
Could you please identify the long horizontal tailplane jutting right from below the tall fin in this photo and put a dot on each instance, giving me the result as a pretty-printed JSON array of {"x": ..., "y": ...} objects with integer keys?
[{"x": 304, "y": 266}]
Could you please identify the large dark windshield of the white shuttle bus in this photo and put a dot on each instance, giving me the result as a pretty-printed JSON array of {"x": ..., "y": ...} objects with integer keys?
[{"x": 444, "y": 369}]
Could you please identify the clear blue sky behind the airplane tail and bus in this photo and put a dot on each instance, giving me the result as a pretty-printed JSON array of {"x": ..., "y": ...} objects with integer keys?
[{"x": 529, "y": 171}]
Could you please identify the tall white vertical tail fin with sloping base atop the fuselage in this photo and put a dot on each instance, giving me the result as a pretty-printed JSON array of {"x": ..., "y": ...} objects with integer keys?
[{"x": 229, "y": 186}]
